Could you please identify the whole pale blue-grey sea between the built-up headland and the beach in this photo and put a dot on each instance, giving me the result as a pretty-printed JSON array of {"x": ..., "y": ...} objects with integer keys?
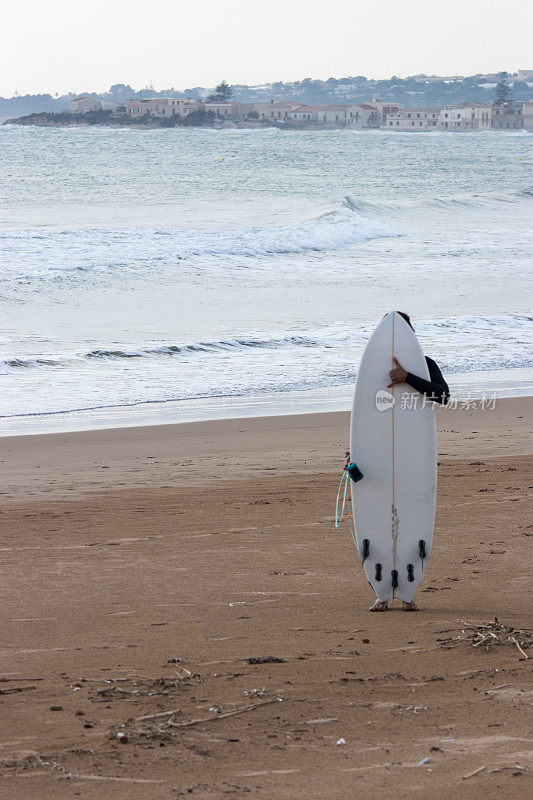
[{"x": 154, "y": 266}]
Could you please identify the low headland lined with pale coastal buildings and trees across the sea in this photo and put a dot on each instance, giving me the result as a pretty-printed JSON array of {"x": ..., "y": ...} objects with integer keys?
[{"x": 222, "y": 110}]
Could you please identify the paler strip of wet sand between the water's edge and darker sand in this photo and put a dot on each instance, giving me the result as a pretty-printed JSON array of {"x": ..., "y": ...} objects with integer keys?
[{"x": 212, "y": 452}]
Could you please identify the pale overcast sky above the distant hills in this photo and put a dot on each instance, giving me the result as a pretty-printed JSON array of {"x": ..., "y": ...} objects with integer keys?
[{"x": 76, "y": 45}]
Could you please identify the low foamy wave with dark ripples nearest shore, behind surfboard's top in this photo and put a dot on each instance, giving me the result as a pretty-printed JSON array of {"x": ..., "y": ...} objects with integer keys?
[{"x": 125, "y": 374}]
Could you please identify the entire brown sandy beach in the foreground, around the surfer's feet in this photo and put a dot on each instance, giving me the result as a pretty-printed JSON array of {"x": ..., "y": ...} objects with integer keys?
[{"x": 183, "y": 586}]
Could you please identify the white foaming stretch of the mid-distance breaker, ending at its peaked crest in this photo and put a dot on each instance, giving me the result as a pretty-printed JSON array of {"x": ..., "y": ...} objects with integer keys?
[{"x": 53, "y": 252}]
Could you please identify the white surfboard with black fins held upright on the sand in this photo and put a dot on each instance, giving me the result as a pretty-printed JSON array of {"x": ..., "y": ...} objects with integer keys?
[{"x": 393, "y": 441}]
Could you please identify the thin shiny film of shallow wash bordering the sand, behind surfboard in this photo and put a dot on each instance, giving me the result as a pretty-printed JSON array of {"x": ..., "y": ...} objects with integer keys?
[{"x": 516, "y": 382}]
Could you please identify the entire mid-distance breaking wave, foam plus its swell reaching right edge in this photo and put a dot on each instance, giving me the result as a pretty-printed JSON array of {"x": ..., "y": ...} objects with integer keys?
[{"x": 50, "y": 254}]
